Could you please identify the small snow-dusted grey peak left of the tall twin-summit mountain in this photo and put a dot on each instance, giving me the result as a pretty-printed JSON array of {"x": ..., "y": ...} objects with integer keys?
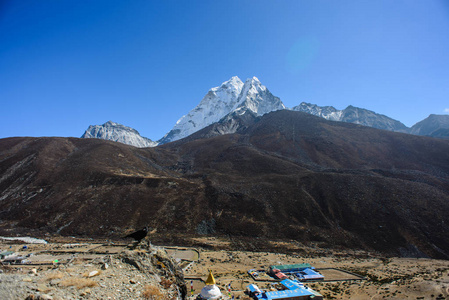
[{"x": 118, "y": 133}]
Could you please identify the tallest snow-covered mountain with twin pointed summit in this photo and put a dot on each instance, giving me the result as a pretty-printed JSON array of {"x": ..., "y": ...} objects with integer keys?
[{"x": 232, "y": 96}]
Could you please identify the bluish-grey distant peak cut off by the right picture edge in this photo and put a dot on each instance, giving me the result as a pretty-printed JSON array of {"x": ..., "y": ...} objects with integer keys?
[{"x": 434, "y": 125}]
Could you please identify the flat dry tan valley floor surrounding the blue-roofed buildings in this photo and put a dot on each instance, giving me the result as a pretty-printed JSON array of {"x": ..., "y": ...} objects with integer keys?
[{"x": 375, "y": 277}]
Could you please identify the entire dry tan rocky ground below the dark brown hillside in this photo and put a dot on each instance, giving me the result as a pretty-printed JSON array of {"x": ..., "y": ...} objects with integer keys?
[{"x": 88, "y": 269}]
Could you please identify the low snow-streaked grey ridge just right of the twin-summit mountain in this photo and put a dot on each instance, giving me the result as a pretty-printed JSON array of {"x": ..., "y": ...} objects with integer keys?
[{"x": 354, "y": 115}]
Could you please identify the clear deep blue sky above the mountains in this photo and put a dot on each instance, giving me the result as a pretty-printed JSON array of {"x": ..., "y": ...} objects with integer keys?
[{"x": 65, "y": 65}]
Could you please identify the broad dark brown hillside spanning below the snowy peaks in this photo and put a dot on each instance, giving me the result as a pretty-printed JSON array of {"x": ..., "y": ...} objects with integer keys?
[{"x": 286, "y": 176}]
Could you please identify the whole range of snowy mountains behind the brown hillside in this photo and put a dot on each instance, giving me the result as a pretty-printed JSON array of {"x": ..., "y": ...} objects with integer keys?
[{"x": 227, "y": 103}]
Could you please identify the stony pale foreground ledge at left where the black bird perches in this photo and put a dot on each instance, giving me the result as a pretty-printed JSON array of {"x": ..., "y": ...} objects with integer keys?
[{"x": 143, "y": 273}]
